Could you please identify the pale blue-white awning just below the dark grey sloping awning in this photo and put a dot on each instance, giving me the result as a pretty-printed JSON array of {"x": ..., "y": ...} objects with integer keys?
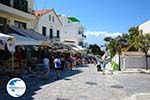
[{"x": 20, "y": 40}]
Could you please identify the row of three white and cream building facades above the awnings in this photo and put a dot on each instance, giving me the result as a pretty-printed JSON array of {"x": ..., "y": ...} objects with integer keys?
[{"x": 20, "y": 13}]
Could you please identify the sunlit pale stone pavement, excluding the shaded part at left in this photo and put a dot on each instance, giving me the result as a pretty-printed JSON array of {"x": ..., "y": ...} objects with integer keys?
[{"x": 91, "y": 85}]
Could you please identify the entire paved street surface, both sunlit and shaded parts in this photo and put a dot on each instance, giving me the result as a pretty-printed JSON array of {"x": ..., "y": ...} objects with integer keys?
[{"x": 85, "y": 83}]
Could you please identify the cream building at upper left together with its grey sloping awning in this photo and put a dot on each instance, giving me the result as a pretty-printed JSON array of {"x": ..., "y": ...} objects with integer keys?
[{"x": 16, "y": 16}]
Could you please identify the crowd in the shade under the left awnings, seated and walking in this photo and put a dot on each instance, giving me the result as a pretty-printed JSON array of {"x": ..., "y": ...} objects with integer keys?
[{"x": 47, "y": 59}]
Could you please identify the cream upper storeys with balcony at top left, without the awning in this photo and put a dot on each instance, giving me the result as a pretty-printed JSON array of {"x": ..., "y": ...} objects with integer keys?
[{"x": 17, "y": 13}]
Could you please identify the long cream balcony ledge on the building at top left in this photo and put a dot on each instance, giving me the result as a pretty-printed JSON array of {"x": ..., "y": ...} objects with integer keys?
[{"x": 5, "y": 9}]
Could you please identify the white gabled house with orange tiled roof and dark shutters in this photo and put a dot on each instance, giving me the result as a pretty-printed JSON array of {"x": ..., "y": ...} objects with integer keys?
[{"x": 48, "y": 24}]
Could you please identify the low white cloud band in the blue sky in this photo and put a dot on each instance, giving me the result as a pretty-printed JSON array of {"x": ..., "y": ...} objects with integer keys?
[{"x": 102, "y": 34}]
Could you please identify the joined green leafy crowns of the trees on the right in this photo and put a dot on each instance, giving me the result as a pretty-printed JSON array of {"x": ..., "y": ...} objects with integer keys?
[{"x": 134, "y": 37}]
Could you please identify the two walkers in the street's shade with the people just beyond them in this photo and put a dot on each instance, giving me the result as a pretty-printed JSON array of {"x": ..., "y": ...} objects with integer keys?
[{"x": 59, "y": 61}]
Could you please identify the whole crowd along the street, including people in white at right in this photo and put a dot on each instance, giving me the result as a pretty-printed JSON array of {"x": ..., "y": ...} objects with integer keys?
[{"x": 51, "y": 59}]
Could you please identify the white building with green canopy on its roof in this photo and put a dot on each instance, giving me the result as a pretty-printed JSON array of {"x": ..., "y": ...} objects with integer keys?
[{"x": 72, "y": 31}]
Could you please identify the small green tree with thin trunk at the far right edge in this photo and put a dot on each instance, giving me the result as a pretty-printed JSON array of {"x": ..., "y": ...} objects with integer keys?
[{"x": 142, "y": 42}]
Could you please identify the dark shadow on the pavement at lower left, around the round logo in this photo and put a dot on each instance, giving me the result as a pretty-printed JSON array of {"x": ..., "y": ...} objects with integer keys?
[{"x": 34, "y": 84}]
